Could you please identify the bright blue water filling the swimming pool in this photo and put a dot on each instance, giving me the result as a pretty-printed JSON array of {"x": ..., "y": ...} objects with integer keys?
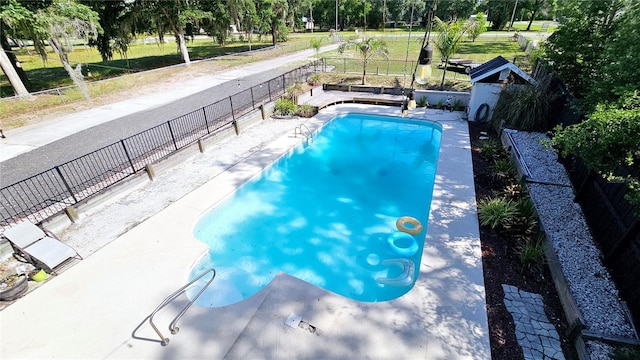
[{"x": 323, "y": 213}]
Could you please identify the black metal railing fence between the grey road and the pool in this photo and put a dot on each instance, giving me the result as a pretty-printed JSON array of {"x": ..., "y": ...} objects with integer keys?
[{"x": 50, "y": 192}]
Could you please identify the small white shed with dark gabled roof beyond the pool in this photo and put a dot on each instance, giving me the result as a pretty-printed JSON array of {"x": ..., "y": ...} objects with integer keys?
[{"x": 487, "y": 81}]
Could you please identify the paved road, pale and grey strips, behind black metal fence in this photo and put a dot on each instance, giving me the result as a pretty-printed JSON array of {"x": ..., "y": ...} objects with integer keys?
[{"x": 30, "y": 150}]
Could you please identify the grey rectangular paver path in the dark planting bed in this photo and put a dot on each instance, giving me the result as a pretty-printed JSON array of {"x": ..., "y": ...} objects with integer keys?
[{"x": 535, "y": 333}]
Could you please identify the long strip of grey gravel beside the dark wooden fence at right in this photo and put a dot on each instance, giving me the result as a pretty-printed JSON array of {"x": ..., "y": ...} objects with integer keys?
[{"x": 589, "y": 281}]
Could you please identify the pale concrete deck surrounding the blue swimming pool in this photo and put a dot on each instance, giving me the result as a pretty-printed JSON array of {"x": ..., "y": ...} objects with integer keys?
[{"x": 93, "y": 308}]
